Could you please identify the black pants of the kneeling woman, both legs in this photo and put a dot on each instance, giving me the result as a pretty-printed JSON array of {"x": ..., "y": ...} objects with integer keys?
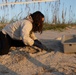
[{"x": 6, "y": 42}]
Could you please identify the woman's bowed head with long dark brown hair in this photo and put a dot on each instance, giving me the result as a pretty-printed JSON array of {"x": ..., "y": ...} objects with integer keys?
[{"x": 38, "y": 19}]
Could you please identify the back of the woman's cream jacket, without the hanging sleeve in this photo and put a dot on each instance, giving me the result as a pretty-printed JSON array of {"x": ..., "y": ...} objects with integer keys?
[{"x": 14, "y": 29}]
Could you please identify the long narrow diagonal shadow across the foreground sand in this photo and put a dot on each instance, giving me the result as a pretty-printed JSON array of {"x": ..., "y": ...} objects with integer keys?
[{"x": 46, "y": 68}]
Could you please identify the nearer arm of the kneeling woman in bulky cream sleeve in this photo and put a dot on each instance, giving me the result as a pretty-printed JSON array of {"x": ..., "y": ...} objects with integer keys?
[{"x": 26, "y": 27}]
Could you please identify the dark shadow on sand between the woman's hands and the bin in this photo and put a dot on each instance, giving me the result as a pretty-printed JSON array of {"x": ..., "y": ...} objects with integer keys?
[{"x": 53, "y": 45}]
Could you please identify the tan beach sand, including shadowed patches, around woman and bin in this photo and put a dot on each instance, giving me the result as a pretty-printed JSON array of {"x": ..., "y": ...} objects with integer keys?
[{"x": 20, "y": 61}]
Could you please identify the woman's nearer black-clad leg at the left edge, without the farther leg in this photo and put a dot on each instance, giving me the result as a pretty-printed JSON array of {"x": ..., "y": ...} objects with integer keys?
[{"x": 4, "y": 44}]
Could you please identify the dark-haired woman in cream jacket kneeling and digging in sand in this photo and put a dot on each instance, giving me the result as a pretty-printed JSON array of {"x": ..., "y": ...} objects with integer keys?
[{"x": 21, "y": 33}]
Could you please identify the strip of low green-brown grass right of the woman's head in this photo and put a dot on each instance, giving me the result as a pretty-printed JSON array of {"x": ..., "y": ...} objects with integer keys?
[{"x": 59, "y": 27}]
